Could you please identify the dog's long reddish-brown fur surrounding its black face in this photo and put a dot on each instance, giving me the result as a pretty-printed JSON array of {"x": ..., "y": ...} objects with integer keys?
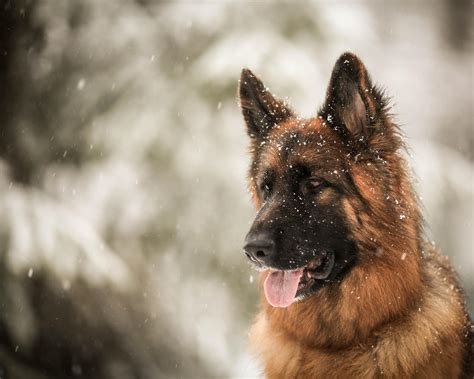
[{"x": 398, "y": 313}]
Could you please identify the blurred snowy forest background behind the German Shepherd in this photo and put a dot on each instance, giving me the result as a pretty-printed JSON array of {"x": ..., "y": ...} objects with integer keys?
[{"x": 123, "y": 159}]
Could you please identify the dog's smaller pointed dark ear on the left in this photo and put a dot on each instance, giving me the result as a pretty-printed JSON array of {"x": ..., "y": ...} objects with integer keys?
[{"x": 260, "y": 109}]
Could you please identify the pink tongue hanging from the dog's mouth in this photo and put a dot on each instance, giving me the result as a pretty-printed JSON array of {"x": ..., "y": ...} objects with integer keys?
[{"x": 281, "y": 286}]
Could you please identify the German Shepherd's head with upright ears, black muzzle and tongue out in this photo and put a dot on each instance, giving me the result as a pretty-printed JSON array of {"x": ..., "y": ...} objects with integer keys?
[{"x": 311, "y": 180}]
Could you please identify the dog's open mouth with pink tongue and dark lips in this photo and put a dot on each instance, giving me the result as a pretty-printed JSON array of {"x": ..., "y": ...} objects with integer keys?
[{"x": 283, "y": 287}]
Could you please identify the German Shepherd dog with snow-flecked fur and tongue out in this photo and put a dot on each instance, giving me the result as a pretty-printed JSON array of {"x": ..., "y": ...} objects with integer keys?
[{"x": 351, "y": 288}]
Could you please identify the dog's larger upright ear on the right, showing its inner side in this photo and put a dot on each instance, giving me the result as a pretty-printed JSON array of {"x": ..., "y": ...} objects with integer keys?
[{"x": 354, "y": 106}]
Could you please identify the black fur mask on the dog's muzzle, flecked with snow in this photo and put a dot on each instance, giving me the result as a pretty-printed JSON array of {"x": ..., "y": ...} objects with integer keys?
[{"x": 301, "y": 227}]
